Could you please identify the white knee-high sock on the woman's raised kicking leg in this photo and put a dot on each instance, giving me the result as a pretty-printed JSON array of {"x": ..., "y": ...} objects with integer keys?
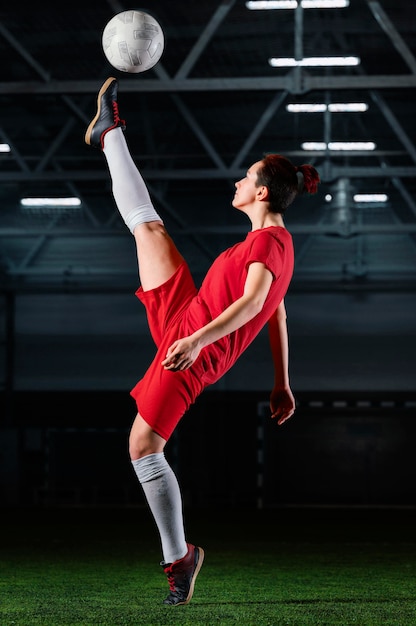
[{"x": 129, "y": 189}]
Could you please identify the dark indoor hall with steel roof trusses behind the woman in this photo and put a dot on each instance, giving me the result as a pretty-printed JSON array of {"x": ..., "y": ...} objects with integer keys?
[{"x": 74, "y": 339}]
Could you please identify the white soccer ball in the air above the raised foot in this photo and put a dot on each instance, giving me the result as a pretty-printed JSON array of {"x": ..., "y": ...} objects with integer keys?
[{"x": 133, "y": 41}]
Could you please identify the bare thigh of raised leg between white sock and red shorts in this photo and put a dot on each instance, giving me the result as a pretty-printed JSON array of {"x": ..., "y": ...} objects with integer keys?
[{"x": 157, "y": 255}]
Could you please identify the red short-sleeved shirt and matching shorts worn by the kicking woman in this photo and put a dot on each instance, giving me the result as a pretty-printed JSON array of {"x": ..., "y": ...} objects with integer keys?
[{"x": 177, "y": 309}]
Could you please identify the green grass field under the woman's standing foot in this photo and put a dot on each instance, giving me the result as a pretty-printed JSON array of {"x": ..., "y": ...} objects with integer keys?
[{"x": 301, "y": 567}]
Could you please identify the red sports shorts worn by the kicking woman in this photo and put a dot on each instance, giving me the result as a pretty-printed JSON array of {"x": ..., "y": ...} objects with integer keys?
[{"x": 163, "y": 396}]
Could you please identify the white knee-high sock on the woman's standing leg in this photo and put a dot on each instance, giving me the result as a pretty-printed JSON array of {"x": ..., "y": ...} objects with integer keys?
[{"x": 162, "y": 492}]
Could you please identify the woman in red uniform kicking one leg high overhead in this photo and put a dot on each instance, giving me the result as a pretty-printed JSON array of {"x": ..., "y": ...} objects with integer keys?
[{"x": 199, "y": 333}]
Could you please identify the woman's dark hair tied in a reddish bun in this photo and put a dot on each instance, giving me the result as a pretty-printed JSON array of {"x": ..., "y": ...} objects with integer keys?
[{"x": 285, "y": 181}]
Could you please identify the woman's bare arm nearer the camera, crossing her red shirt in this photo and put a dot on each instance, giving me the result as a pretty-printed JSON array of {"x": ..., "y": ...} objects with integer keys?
[{"x": 183, "y": 352}]
